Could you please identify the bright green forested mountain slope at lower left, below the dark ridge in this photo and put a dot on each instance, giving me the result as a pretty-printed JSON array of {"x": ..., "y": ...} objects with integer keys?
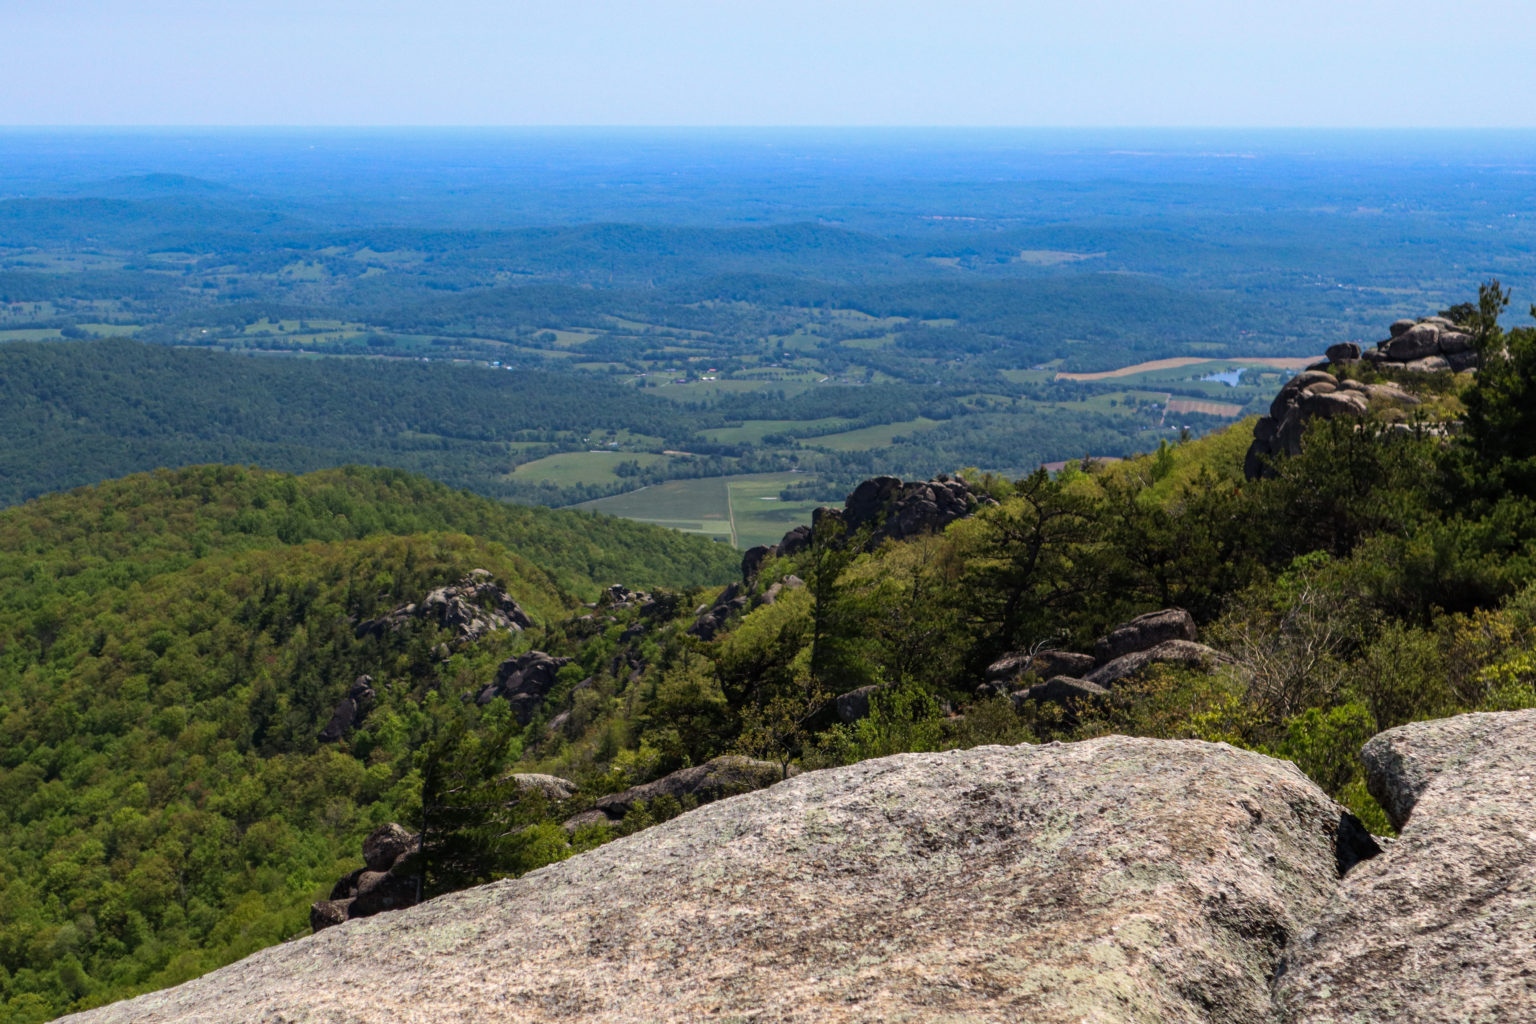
[{"x": 173, "y": 644}]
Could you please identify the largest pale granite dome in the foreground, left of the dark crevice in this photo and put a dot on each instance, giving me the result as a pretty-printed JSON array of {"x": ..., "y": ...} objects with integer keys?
[{"x": 1110, "y": 880}]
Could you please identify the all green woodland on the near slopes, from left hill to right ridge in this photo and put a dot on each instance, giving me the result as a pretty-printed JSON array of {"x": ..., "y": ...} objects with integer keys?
[{"x": 173, "y": 644}]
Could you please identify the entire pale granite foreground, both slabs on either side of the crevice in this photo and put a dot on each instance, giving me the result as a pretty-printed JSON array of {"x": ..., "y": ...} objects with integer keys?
[{"x": 1111, "y": 880}]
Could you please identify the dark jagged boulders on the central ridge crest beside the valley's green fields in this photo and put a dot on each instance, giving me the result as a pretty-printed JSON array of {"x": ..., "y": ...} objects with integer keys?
[{"x": 887, "y": 509}]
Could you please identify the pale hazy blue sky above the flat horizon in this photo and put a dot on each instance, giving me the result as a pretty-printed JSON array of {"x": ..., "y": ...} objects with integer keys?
[{"x": 756, "y": 62}]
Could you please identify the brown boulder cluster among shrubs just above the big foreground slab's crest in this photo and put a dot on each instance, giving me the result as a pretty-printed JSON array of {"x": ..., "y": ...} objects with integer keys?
[{"x": 1159, "y": 638}]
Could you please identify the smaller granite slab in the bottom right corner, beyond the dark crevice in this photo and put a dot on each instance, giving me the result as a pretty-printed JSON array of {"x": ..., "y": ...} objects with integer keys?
[{"x": 1443, "y": 927}]
